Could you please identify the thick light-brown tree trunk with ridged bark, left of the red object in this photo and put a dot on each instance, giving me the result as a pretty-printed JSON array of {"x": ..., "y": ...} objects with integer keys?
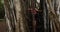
[{"x": 14, "y": 14}]
